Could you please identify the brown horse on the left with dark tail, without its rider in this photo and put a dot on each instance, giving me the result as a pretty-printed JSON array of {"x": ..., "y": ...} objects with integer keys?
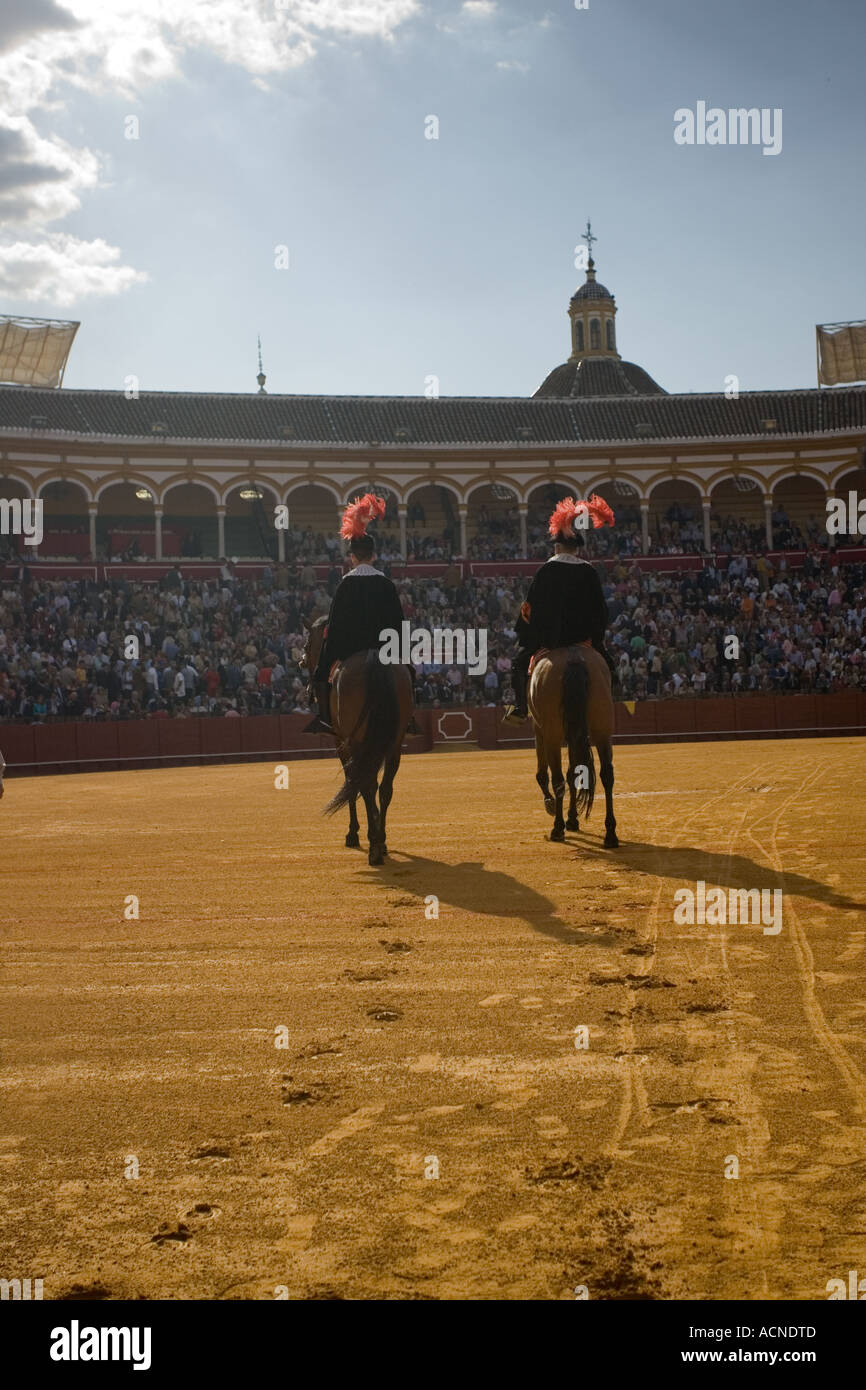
[{"x": 370, "y": 708}]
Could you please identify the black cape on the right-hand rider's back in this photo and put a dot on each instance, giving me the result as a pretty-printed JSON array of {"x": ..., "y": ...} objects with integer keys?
[{"x": 566, "y": 605}]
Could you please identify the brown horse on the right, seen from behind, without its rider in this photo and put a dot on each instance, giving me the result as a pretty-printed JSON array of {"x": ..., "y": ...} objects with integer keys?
[{"x": 571, "y": 704}]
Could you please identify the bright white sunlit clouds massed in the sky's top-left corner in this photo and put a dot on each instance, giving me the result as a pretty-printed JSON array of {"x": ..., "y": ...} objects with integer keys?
[{"x": 122, "y": 48}]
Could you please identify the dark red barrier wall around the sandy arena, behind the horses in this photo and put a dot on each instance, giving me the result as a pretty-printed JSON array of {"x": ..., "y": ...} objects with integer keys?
[{"x": 91, "y": 747}]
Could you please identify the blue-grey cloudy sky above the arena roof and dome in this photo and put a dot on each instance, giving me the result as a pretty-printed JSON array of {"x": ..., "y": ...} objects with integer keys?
[{"x": 184, "y": 176}]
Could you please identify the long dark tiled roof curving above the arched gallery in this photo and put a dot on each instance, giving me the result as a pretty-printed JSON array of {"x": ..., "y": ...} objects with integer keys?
[{"x": 405, "y": 422}]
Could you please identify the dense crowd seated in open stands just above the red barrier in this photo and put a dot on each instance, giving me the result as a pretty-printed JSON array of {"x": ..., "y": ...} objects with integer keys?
[{"x": 234, "y": 647}]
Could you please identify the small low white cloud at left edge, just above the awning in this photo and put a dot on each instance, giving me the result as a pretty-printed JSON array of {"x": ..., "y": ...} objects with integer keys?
[{"x": 62, "y": 270}]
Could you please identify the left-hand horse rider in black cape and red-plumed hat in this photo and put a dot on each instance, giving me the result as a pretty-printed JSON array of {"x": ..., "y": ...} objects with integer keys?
[{"x": 363, "y": 604}]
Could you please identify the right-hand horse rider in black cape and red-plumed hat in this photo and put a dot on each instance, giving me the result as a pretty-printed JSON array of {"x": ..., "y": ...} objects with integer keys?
[{"x": 565, "y": 604}]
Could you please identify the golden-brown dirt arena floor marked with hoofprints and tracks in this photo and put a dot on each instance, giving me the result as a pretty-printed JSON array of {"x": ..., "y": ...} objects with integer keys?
[{"x": 420, "y": 1046}]
